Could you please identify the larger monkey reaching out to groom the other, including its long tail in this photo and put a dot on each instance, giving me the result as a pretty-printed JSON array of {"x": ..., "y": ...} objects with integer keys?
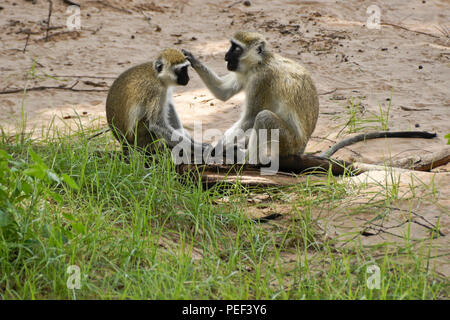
[{"x": 280, "y": 94}]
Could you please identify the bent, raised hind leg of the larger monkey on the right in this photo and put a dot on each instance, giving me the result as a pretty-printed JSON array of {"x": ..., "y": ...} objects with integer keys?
[{"x": 258, "y": 148}]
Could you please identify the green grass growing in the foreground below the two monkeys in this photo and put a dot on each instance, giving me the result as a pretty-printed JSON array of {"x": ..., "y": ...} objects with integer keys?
[{"x": 140, "y": 232}]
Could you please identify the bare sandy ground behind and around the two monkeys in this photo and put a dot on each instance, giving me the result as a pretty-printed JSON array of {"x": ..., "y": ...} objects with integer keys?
[{"x": 408, "y": 60}]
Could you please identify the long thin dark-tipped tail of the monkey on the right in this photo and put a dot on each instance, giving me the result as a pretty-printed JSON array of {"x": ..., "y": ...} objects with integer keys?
[{"x": 374, "y": 135}]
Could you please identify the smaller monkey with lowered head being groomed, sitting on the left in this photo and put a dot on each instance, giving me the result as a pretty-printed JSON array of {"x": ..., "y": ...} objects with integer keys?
[{"x": 139, "y": 106}]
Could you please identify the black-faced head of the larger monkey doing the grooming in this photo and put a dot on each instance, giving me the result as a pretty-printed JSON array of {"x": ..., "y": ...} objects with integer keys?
[{"x": 247, "y": 50}]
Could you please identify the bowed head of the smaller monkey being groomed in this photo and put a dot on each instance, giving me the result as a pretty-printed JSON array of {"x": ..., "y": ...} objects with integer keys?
[{"x": 171, "y": 67}]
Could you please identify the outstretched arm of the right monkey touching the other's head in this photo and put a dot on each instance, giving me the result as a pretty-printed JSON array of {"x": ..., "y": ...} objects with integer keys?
[{"x": 223, "y": 88}]
